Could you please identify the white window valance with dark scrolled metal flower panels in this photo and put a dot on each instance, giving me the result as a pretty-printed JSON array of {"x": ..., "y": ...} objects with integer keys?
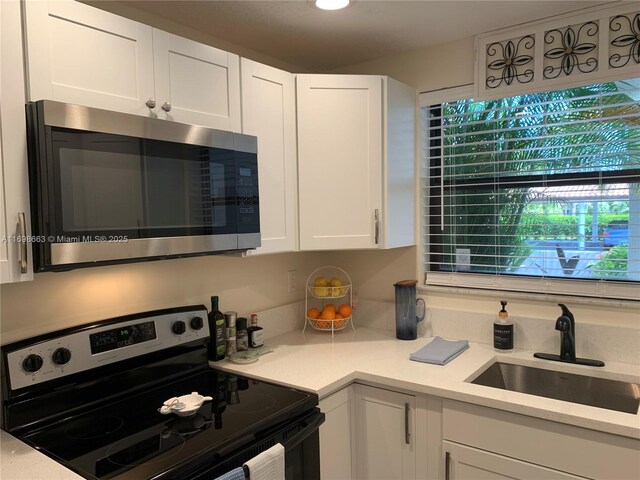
[{"x": 601, "y": 44}]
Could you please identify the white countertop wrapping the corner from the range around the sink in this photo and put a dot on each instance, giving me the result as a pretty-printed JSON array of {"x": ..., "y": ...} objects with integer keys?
[{"x": 316, "y": 362}]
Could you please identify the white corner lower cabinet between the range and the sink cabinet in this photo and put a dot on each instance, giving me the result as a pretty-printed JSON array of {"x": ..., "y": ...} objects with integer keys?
[{"x": 373, "y": 433}]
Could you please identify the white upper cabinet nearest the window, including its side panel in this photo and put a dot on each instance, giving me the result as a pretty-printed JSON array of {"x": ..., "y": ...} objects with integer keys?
[{"x": 356, "y": 162}]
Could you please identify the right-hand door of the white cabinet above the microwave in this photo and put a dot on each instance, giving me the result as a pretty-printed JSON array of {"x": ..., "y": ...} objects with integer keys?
[{"x": 196, "y": 83}]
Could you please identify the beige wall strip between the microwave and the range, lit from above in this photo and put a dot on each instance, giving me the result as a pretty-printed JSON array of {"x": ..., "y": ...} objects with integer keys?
[{"x": 59, "y": 300}]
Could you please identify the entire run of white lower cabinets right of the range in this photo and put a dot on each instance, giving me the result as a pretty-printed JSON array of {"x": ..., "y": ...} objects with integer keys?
[{"x": 373, "y": 433}]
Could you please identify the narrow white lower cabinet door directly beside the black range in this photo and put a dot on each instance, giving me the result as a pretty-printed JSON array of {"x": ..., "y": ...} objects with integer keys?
[{"x": 337, "y": 436}]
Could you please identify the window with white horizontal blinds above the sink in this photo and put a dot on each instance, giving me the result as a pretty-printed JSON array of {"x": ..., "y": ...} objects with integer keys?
[{"x": 537, "y": 192}]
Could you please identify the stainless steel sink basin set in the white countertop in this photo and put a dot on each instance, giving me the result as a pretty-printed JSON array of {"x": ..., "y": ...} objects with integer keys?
[{"x": 597, "y": 392}]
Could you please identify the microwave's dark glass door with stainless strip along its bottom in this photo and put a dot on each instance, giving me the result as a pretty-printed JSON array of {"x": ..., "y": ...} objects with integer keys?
[{"x": 153, "y": 198}]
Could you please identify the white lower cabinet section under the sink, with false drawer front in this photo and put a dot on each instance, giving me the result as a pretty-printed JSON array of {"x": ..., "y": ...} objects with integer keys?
[{"x": 484, "y": 443}]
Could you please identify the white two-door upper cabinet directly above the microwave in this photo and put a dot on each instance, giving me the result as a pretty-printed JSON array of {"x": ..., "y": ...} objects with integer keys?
[{"x": 83, "y": 55}]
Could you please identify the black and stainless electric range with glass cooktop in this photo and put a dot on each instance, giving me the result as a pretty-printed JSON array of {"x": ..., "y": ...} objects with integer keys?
[{"x": 89, "y": 398}]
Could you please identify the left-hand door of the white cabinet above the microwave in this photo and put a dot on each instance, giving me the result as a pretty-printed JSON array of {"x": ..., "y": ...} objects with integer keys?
[{"x": 83, "y": 55}]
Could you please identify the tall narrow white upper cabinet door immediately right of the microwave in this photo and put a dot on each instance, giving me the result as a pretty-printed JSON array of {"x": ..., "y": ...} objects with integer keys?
[{"x": 268, "y": 112}]
